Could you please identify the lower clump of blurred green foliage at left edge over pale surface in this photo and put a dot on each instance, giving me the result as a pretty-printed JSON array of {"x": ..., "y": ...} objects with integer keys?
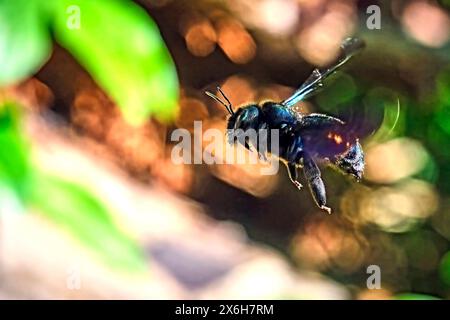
[{"x": 73, "y": 207}]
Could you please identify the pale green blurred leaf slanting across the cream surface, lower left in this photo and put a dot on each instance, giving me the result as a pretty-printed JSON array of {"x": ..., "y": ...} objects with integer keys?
[{"x": 77, "y": 211}]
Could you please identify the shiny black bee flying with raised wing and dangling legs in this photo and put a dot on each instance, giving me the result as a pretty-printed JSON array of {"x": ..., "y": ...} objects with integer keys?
[{"x": 304, "y": 139}]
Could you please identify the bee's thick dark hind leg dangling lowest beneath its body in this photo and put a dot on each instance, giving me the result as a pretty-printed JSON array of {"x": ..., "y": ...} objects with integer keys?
[{"x": 315, "y": 182}]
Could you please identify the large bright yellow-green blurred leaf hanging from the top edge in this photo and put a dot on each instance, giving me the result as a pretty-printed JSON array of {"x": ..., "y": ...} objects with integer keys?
[{"x": 120, "y": 46}]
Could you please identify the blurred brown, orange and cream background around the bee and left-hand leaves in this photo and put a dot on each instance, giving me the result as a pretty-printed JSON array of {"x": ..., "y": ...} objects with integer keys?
[{"x": 226, "y": 231}]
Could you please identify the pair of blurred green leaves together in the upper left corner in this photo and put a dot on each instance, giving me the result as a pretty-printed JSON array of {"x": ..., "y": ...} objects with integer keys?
[{"x": 115, "y": 40}]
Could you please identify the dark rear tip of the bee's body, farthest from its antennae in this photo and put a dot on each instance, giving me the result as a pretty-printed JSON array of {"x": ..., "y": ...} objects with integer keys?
[{"x": 351, "y": 162}]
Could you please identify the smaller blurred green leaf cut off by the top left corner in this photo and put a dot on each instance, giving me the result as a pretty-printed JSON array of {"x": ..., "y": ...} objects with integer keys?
[{"x": 24, "y": 39}]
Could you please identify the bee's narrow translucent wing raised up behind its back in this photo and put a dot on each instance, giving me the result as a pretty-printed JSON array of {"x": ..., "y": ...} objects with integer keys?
[{"x": 349, "y": 48}]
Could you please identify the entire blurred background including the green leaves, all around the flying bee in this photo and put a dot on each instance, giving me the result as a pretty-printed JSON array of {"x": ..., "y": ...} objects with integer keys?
[{"x": 93, "y": 207}]
